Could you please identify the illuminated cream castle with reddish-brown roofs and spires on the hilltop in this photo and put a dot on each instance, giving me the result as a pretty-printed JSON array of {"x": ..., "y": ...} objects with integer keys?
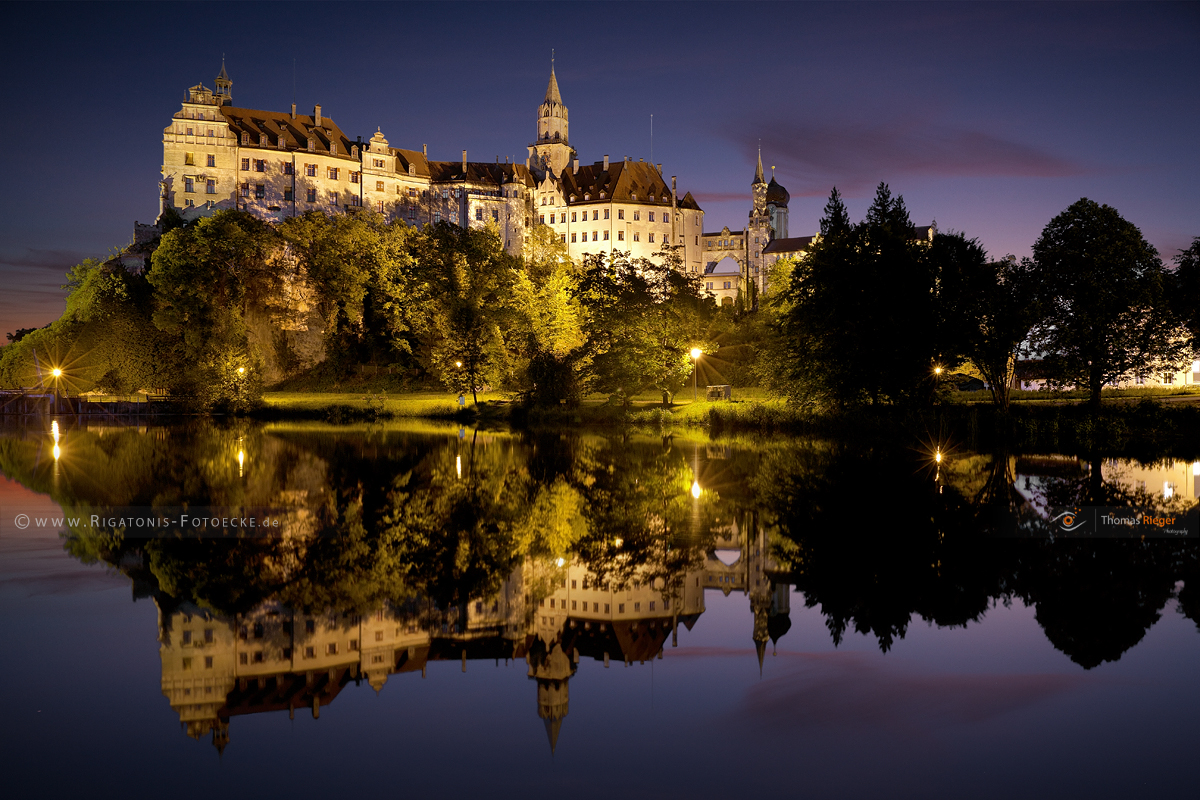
[{"x": 277, "y": 165}]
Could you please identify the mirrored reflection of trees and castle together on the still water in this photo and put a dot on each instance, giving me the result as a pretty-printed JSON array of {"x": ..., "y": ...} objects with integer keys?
[{"x": 406, "y": 546}]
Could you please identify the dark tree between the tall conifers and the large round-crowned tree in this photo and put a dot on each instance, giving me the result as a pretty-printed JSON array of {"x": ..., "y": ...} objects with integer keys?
[{"x": 986, "y": 310}]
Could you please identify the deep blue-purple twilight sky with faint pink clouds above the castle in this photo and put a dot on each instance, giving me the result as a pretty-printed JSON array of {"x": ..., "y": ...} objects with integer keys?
[{"x": 991, "y": 118}]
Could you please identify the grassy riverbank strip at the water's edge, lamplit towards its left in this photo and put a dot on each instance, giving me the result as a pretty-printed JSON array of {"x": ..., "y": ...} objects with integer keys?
[{"x": 1148, "y": 425}]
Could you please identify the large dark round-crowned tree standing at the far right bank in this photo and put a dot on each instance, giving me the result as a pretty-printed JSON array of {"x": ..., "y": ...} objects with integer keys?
[{"x": 1103, "y": 286}]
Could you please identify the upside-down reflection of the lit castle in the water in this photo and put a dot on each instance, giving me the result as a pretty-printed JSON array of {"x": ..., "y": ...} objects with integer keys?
[{"x": 274, "y": 659}]
